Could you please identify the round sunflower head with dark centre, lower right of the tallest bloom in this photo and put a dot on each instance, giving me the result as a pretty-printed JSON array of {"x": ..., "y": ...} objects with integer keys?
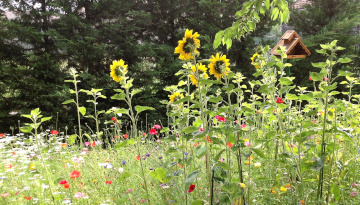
[{"x": 219, "y": 65}]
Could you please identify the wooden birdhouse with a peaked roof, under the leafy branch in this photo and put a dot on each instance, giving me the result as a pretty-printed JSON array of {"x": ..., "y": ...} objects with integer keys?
[{"x": 294, "y": 47}]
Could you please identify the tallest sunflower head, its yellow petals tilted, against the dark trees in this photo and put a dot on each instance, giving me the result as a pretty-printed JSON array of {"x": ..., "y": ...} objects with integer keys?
[{"x": 188, "y": 46}]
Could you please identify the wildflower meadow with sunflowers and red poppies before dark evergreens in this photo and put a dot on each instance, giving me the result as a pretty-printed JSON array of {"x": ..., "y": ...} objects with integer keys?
[{"x": 227, "y": 140}]
